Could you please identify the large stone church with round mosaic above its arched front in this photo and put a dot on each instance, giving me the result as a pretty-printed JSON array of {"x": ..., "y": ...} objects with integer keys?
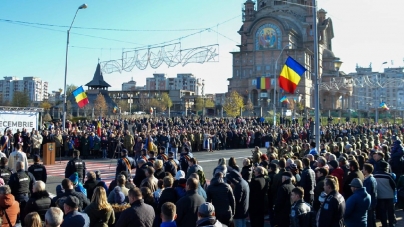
[{"x": 268, "y": 27}]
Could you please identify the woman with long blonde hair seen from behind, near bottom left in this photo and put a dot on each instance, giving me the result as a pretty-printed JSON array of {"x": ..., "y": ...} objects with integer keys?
[{"x": 100, "y": 211}]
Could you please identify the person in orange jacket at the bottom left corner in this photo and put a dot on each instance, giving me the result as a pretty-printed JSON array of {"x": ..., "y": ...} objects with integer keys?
[{"x": 9, "y": 205}]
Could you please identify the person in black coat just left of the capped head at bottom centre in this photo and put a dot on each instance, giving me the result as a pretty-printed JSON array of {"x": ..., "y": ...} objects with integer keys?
[{"x": 187, "y": 206}]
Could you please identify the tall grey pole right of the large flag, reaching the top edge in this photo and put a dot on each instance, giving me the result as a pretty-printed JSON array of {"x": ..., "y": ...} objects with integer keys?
[{"x": 316, "y": 82}]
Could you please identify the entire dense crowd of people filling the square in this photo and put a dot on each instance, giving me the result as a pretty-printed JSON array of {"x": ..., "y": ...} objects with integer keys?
[{"x": 354, "y": 178}]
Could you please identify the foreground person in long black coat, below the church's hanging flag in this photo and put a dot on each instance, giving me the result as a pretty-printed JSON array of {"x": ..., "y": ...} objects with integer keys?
[{"x": 258, "y": 190}]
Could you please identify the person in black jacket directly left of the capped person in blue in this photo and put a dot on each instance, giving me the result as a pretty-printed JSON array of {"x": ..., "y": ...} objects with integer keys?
[{"x": 333, "y": 209}]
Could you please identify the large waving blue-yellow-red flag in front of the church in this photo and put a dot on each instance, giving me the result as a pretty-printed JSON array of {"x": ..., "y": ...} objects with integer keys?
[{"x": 290, "y": 75}]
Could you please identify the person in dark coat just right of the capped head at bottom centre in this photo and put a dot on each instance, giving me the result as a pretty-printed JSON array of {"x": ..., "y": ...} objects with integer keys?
[{"x": 221, "y": 196}]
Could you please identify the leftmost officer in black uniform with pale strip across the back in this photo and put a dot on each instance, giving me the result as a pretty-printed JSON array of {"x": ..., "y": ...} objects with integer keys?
[{"x": 21, "y": 184}]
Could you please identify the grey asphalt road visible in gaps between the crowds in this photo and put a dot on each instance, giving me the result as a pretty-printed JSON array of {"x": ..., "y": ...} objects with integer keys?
[{"x": 208, "y": 160}]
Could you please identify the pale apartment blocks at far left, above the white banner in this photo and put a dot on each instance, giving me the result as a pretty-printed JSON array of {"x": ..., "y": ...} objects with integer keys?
[{"x": 34, "y": 87}]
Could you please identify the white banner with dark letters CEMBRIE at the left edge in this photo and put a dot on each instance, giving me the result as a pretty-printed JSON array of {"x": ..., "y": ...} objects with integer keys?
[{"x": 18, "y": 120}]
